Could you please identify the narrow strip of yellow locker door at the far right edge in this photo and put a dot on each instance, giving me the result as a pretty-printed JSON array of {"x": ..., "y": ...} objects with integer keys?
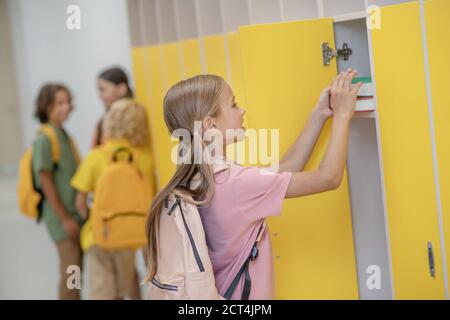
[{"x": 437, "y": 22}]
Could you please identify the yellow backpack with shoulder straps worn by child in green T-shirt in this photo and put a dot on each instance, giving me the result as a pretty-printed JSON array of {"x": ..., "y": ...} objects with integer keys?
[{"x": 29, "y": 198}]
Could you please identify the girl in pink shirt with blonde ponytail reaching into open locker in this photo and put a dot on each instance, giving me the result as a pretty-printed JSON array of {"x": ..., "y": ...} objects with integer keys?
[{"x": 234, "y": 203}]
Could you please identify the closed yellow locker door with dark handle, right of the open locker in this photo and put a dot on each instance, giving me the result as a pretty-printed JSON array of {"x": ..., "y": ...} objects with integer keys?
[{"x": 406, "y": 152}]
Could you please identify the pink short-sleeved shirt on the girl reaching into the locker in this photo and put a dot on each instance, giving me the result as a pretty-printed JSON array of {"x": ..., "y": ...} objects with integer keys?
[{"x": 243, "y": 197}]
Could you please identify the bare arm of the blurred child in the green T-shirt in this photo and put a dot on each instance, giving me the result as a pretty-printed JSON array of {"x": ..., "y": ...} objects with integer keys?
[{"x": 49, "y": 190}]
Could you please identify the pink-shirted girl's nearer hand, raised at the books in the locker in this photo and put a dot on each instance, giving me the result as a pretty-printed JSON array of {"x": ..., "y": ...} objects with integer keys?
[{"x": 344, "y": 93}]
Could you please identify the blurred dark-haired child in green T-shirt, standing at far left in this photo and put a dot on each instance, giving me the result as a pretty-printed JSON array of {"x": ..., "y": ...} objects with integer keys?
[{"x": 57, "y": 208}]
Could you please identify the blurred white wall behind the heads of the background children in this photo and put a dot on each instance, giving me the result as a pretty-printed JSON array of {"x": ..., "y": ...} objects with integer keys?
[{"x": 45, "y": 50}]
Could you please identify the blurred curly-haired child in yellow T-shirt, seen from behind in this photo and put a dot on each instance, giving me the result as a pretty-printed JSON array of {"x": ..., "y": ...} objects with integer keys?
[{"x": 111, "y": 269}]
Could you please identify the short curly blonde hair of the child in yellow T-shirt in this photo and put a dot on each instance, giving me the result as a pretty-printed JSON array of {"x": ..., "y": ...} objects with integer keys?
[{"x": 127, "y": 120}]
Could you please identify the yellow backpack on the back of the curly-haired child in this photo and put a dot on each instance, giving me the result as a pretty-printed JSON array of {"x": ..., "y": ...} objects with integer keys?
[{"x": 122, "y": 198}]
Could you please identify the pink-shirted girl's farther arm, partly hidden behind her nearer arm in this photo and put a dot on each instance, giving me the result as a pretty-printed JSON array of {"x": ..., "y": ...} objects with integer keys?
[{"x": 299, "y": 153}]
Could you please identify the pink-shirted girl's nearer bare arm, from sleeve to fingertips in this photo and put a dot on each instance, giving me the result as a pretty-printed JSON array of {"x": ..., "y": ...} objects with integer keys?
[{"x": 328, "y": 175}]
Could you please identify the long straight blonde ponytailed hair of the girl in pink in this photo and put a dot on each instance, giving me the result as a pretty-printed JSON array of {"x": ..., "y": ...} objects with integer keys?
[{"x": 187, "y": 101}]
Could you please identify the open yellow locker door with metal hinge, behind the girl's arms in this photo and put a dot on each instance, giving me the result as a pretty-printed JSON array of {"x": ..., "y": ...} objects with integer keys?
[{"x": 312, "y": 240}]
